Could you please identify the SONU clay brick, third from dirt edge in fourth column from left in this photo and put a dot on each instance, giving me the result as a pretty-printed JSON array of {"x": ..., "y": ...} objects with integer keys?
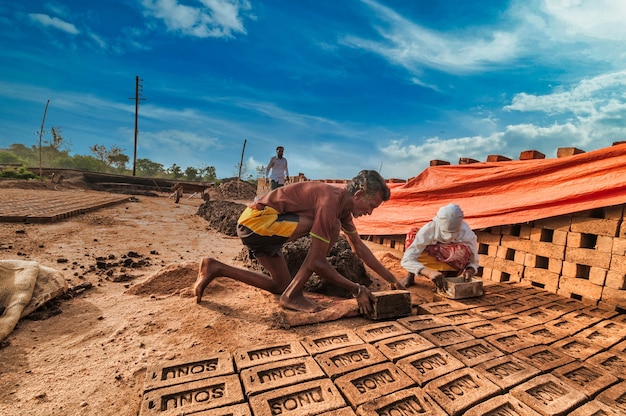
[{"x": 426, "y": 366}]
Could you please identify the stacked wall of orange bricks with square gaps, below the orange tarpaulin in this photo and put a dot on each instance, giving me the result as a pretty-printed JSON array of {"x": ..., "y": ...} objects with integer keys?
[{"x": 580, "y": 255}]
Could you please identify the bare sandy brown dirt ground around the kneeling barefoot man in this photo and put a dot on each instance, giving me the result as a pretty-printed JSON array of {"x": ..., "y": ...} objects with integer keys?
[{"x": 87, "y": 353}]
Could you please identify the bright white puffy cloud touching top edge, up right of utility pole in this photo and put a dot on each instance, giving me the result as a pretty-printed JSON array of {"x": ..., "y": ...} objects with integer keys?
[{"x": 210, "y": 18}]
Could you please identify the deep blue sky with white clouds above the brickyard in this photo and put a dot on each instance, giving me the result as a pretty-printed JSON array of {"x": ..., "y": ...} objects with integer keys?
[{"x": 342, "y": 85}]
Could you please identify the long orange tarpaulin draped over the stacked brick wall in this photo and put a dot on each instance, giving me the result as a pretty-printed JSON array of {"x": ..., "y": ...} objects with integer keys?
[{"x": 500, "y": 193}]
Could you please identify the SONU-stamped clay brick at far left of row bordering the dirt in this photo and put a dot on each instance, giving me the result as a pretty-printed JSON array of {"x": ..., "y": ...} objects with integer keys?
[{"x": 190, "y": 369}]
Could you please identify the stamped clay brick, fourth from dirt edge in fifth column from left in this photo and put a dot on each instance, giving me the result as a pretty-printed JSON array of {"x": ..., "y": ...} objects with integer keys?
[{"x": 507, "y": 371}]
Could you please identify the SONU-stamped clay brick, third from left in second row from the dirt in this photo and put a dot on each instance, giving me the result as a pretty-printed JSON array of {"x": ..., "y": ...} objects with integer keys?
[{"x": 344, "y": 360}]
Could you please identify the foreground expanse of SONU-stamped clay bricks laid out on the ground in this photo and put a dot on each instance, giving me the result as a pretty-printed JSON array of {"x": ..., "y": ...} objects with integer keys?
[{"x": 516, "y": 350}]
